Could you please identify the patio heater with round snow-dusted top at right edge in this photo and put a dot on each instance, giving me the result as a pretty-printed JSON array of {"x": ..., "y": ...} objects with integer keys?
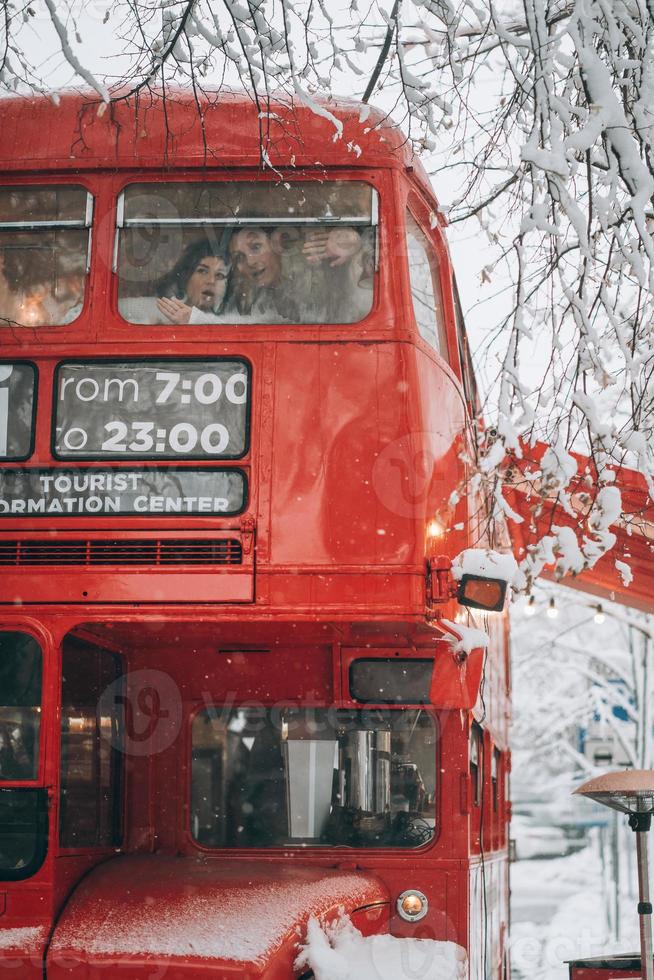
[{"x": 632, "y": 792}]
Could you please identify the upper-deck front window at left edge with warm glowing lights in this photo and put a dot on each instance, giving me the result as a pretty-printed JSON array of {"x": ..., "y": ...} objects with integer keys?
[{"x": 44, "y": 245}]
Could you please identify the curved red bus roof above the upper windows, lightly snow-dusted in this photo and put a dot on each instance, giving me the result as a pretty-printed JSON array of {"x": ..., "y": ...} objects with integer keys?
[{"x": 73, "y": 131}]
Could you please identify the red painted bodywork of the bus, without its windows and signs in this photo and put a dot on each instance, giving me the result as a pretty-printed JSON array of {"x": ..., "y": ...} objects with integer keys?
[{"x": 357, "y": 433}]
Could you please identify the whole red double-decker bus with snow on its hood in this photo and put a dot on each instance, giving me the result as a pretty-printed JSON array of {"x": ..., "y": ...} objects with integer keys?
[{"x": 235, "y": 409}]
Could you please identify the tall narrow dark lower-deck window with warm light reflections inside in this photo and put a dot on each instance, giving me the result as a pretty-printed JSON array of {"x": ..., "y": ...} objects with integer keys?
[{"x": 91, "y": 739}]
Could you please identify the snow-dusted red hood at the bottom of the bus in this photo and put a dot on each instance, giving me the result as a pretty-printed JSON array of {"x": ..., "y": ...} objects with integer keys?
[{"x": 151, "y": 916}]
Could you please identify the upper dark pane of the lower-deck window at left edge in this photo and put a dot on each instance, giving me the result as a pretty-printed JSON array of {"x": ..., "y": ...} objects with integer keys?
[{"x": 20, "y": 706}]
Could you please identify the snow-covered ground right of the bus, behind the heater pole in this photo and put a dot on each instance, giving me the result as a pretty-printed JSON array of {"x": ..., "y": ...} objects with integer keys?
[{"x": 561, "y": 910}]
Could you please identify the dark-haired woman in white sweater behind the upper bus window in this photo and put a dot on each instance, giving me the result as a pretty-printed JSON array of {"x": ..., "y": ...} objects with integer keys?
[{"x": 194, "y": 291}]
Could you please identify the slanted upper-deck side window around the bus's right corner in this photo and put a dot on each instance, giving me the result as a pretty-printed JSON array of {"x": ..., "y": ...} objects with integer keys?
[{"x": 425, "y": 287}]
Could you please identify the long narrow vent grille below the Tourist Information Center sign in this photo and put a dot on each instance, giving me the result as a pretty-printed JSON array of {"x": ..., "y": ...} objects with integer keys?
[{"x": 130, "y": 551}]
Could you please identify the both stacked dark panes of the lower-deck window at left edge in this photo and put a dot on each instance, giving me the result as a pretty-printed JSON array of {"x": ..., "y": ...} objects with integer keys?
[{"x": 23, "y": 811}]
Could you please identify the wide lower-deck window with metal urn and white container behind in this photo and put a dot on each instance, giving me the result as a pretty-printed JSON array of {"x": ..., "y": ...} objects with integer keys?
[{"x": 275, "y": 777}]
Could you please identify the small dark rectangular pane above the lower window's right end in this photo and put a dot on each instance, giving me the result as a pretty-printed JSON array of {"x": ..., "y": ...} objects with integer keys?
[{"x": 379, "y": 681}]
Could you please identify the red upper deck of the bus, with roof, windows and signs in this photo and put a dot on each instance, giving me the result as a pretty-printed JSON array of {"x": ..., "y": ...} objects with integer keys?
[{"x": 173, "y": 334}]
